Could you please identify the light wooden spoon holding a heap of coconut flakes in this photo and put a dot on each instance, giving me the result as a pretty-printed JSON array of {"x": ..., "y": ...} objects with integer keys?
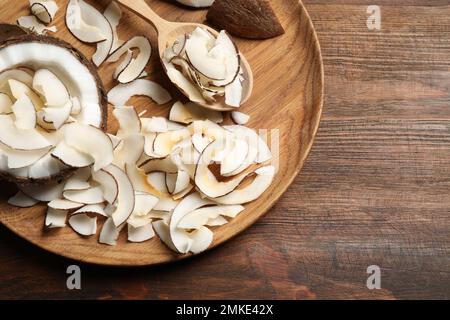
[{"x": 168, "y": 32}]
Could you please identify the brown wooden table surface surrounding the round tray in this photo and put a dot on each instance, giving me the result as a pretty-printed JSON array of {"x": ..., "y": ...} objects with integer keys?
[{"x": 375, "y": 189}]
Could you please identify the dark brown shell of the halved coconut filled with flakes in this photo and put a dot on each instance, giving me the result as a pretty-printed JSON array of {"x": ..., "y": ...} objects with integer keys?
[{"x": 11, "y": 34}]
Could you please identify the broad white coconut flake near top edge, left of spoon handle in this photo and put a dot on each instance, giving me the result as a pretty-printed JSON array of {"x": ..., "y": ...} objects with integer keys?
[{"x": 82, "y": 22}]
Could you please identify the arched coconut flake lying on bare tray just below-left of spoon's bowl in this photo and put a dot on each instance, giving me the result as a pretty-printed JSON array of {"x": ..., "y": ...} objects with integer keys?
[{"x": 119, "y": 95}]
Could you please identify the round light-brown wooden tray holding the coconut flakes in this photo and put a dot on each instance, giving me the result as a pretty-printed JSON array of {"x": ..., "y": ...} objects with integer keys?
[{"x": 288, "y": 96}]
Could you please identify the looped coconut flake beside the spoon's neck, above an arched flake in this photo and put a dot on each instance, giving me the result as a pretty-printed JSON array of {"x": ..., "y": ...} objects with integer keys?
[{"x": 134, "y": 66}]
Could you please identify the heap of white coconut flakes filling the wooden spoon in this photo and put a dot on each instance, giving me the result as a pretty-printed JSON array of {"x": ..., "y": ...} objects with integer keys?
[{"x": 205, "y": 68}]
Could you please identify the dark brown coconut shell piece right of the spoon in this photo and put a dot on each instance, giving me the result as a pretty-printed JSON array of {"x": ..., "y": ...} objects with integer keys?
[{"x": 252, "y": 19}]
